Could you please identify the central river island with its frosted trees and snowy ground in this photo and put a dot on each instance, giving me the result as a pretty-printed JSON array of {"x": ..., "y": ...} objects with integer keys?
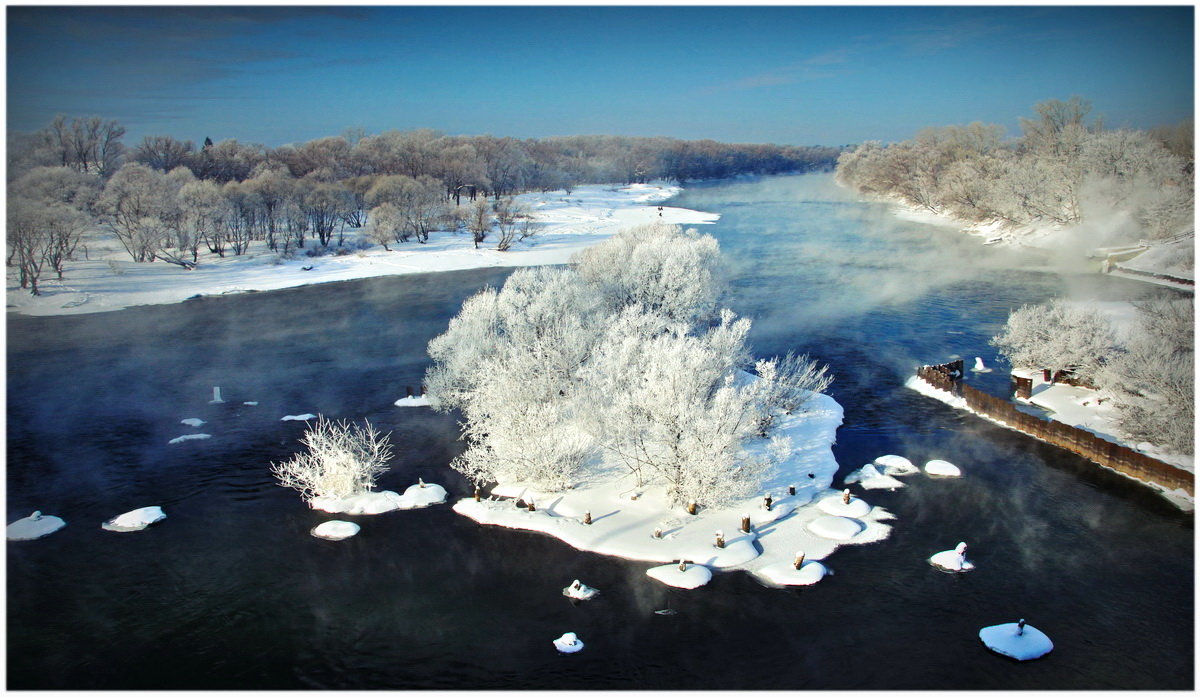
[{"x": 611, "y": 406}]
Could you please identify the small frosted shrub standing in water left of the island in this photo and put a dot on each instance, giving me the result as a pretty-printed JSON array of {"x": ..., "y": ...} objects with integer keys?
[{"x": 343, "y": 460}]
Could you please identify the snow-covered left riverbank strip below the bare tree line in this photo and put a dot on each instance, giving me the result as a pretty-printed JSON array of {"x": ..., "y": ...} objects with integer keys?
[{"x": 566, "y": 224}]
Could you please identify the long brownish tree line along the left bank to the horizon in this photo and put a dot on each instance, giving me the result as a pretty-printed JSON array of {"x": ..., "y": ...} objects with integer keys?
[{"x": 167, "y": 200}]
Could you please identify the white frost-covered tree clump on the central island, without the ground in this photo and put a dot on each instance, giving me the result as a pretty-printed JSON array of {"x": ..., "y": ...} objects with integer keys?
[{"x": 621, "y": 363}]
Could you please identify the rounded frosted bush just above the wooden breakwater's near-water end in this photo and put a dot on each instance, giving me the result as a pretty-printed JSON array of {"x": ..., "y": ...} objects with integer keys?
[{"x": 1057, "y": 335}]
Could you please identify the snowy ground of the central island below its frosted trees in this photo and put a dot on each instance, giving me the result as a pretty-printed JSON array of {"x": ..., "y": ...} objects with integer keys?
[{"x": 626, "y": 516}]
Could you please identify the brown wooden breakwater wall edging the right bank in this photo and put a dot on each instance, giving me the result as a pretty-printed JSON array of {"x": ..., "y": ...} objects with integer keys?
[{"x": 949, "y": 377}]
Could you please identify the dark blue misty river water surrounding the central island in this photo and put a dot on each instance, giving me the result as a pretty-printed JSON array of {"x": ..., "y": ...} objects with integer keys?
[{"x": 231, "y": 592}]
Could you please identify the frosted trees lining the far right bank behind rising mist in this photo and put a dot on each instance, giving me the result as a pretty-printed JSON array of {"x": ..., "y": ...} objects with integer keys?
[{"x": 1061, "y": 169}]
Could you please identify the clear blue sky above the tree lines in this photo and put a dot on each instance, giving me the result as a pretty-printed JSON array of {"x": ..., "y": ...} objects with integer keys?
[{"x": 790, "y": 75}]
